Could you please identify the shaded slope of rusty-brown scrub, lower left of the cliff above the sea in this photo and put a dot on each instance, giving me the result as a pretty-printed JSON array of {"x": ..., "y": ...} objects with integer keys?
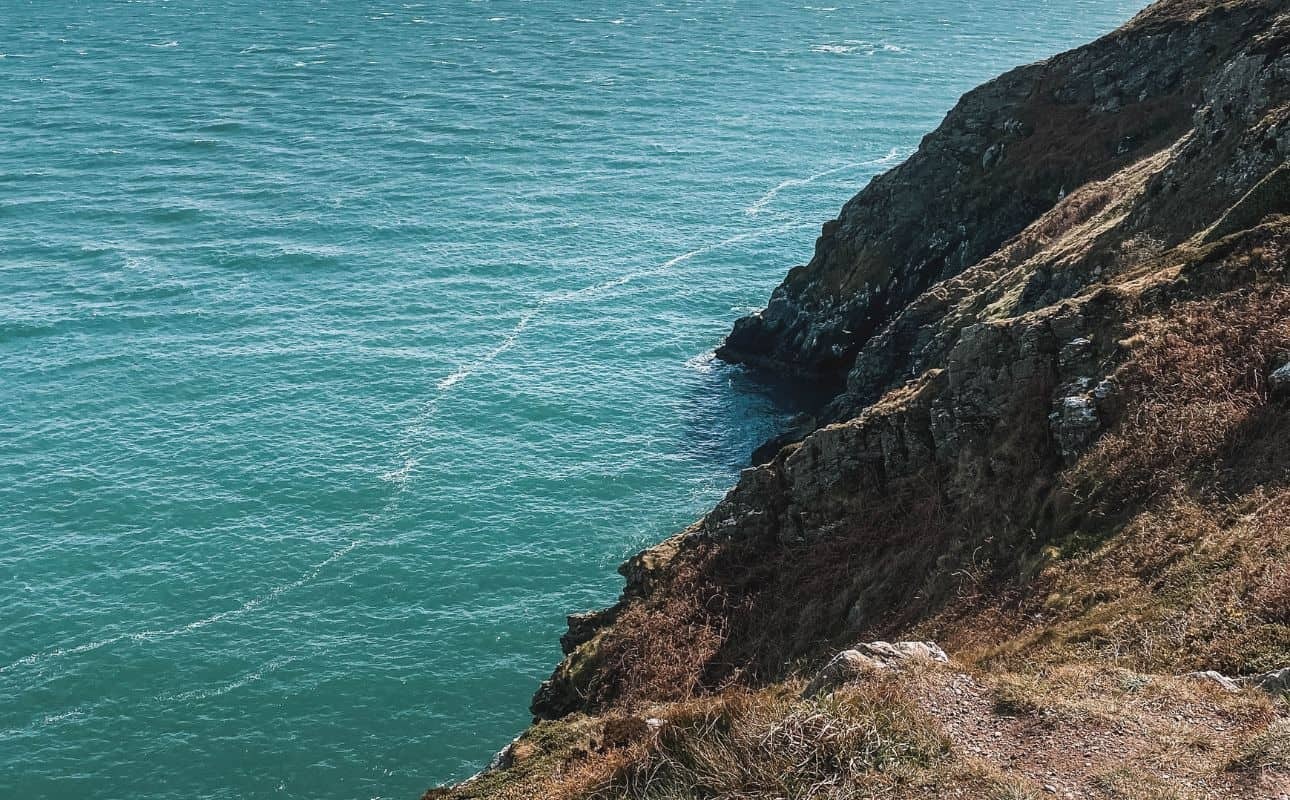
[{"x": 750, "y": 611}]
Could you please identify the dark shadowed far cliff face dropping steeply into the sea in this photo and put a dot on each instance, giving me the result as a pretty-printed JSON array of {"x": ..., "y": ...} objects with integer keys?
[{"x": 1007, "y": 154}]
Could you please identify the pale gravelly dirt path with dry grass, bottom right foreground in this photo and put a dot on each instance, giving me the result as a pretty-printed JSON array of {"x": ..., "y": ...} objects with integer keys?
[{"x": 1106, "y": 736}]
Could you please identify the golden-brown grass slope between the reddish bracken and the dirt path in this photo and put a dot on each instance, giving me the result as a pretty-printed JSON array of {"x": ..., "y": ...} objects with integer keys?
[{"x": 1182, "y": 588}]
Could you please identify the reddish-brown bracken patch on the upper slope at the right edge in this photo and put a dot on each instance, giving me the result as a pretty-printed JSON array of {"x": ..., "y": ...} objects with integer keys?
[{"x": 1196, "y": 401}]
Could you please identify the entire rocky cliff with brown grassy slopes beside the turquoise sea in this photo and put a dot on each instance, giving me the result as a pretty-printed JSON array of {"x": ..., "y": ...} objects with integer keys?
[{"x": 1060, "y": 450}]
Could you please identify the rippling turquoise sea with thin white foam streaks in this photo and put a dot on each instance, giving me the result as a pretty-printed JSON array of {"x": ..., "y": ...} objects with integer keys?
[{"x": 346, "y": 348}]
